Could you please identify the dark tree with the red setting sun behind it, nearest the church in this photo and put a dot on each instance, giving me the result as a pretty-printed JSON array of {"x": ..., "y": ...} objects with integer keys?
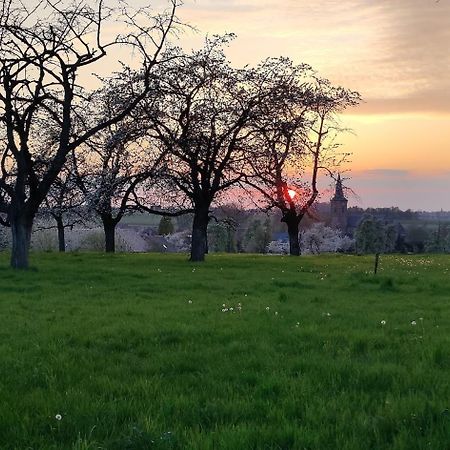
[{"x": 295, "y": 140}]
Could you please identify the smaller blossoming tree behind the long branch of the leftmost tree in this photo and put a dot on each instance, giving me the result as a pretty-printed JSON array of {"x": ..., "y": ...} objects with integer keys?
[{"x": 115, "y": 163}]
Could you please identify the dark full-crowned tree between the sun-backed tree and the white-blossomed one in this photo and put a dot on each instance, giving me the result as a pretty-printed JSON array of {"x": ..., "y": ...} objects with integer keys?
[{"x": 202, "y": 119}]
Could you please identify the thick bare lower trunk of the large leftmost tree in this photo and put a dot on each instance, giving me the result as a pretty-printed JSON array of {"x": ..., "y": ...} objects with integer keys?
[{"x": 21, "y": 226}]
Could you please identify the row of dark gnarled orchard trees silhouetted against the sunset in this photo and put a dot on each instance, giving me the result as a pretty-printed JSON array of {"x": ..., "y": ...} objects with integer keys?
[{"x": 170, "y": 135}]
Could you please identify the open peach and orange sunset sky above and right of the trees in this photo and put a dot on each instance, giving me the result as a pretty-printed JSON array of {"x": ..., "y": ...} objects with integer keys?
[{"x": 394, "y": 52}]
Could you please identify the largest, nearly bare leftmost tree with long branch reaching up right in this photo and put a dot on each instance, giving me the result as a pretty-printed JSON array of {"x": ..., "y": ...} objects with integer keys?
[{"x": 42, "y": 54}]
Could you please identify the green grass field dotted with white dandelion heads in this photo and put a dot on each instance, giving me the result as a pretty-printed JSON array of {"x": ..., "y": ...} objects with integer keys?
[{"x": 137, "y": 352}]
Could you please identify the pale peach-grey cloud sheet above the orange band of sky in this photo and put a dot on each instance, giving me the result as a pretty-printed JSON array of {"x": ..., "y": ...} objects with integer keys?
[{"x": 394, "y": 52}]
